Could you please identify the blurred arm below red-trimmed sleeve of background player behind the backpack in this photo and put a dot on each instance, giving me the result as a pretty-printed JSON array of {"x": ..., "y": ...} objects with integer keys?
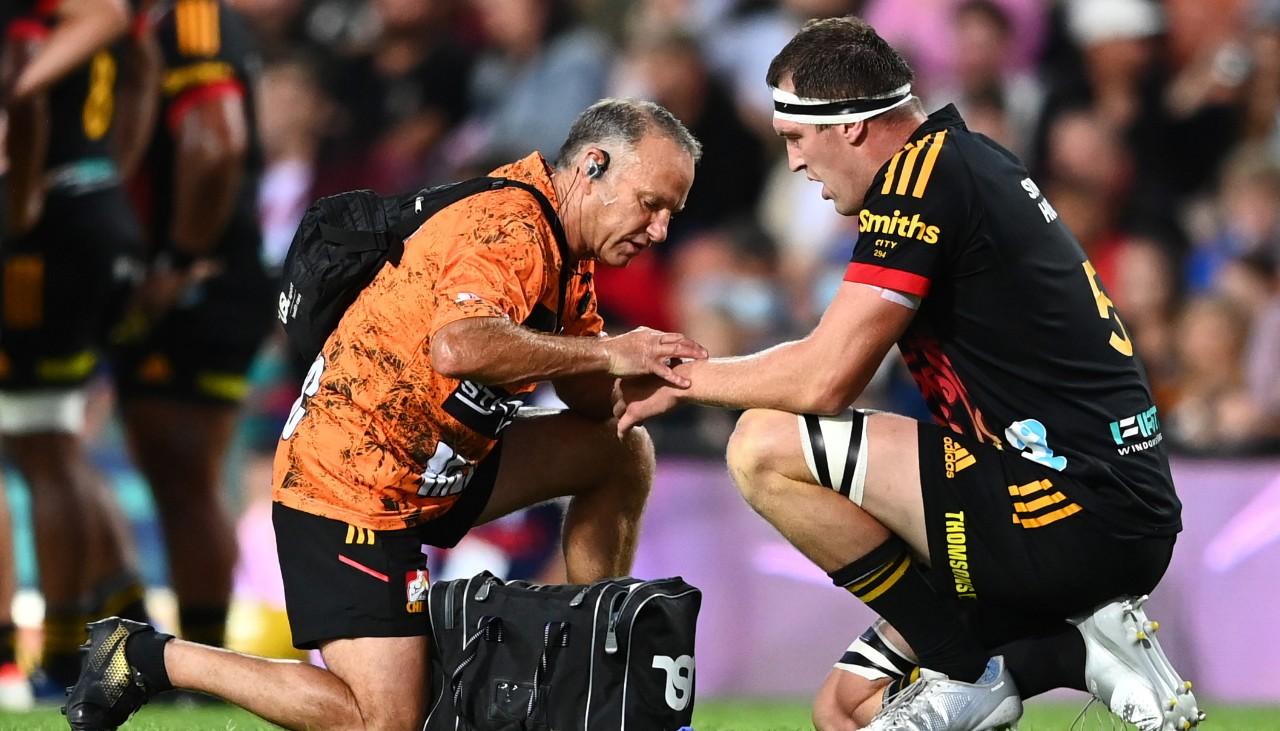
[{"x": 207, "y": 180}]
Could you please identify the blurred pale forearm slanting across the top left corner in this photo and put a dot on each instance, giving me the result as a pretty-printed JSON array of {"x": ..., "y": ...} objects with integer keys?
[{"x": 84, "y": 29}]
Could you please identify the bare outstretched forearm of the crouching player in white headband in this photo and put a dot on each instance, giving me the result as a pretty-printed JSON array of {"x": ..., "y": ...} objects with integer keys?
[{"x": 792, "y": 377}]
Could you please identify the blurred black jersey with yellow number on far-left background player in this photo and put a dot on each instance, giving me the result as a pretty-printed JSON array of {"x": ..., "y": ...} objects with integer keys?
[{"x": 81, "y": 107}]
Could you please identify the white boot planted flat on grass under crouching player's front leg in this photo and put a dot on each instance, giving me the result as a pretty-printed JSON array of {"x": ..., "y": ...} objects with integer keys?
[{"x": 938, "y": 703}]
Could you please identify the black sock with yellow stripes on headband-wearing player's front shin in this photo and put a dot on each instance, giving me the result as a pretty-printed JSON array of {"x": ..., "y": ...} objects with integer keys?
[{"x": 888, "y": 582}]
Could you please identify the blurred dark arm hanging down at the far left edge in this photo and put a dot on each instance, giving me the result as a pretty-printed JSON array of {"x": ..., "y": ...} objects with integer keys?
[{"x": 28, "y": 145}]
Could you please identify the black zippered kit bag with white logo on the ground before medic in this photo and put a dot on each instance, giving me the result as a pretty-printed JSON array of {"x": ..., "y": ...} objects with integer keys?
[{"x": 612, "y": 656}]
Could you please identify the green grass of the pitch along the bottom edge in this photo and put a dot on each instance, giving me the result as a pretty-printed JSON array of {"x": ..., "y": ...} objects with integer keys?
[{"x": 711, "y": 716}]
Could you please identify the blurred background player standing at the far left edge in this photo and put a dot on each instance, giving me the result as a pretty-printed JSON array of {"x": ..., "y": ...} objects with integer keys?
[{"x": 71, "y": 258}]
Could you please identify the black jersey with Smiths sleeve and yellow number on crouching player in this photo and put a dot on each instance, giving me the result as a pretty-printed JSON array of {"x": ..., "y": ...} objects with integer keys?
[{"x": 1016, "y": 341}]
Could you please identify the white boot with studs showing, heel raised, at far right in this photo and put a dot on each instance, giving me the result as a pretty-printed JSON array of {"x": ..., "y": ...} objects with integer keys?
[{"x": 1130, "y": 674}]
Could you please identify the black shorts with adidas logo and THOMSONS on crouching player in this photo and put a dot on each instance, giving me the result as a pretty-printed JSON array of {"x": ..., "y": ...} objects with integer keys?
[{"x": 1009, "y": 542}]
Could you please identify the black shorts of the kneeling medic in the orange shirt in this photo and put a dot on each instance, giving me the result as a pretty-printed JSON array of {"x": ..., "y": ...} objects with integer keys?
[{"x": 349, "y": 582}]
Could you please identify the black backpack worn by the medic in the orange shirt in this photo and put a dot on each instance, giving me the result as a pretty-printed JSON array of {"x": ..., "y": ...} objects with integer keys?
[{"x": 345, "y": 240}]
